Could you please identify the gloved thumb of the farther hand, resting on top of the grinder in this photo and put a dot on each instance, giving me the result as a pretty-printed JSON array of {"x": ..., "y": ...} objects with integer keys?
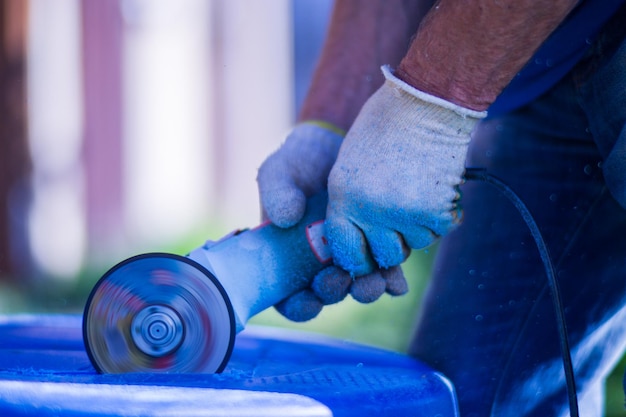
[{"x": 282, "y": 202}]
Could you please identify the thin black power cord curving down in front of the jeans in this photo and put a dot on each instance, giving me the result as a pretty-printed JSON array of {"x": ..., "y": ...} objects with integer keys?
[{"x": 482, "y": 175}]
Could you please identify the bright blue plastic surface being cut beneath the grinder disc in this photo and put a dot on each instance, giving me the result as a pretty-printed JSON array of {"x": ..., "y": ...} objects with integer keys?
[{"x": 44, "y": 370}]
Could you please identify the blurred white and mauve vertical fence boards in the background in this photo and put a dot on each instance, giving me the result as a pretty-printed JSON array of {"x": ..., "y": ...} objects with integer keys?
[{"x": 149, "y": 118}]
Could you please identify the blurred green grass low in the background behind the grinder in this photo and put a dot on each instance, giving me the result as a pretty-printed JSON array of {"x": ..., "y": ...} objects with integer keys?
[{"x": 387, "y": 323}]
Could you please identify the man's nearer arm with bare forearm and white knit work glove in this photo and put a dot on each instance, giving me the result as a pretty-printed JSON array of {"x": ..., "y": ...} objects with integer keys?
[{"x": 395, "y": 180}]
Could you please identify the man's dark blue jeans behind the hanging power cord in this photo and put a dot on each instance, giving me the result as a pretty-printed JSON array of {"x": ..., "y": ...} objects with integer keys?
[{"x": 487, "y": 321}]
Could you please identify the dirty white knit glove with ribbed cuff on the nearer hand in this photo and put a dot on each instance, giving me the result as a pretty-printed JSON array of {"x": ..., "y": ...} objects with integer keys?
[{"x": 395, "y": 181}]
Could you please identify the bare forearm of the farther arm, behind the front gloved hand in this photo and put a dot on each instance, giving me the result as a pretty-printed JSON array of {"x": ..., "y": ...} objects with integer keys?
[{"x": 363, "y": 35}]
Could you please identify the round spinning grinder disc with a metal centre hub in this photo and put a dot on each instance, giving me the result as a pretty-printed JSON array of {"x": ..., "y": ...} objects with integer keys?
[{"x": 158, "y": 313}]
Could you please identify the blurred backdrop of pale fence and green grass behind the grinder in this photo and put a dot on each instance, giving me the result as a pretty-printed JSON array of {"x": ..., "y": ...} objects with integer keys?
[{"x": 130, "y": 126}]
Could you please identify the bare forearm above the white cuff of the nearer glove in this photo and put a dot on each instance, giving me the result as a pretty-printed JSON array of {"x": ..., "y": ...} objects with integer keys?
[{"x": 468, "y": 51}]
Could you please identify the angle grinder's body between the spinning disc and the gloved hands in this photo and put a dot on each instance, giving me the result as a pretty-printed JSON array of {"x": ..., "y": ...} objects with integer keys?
[{"x": 262, "y": 266}]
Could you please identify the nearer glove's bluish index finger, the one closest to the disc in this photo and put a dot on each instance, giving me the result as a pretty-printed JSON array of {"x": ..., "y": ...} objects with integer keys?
[{"x": 348, "y": 245}]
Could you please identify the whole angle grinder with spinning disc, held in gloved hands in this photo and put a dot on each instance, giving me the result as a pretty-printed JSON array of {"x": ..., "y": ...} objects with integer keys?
[{"x": 160, "y": 312}]
